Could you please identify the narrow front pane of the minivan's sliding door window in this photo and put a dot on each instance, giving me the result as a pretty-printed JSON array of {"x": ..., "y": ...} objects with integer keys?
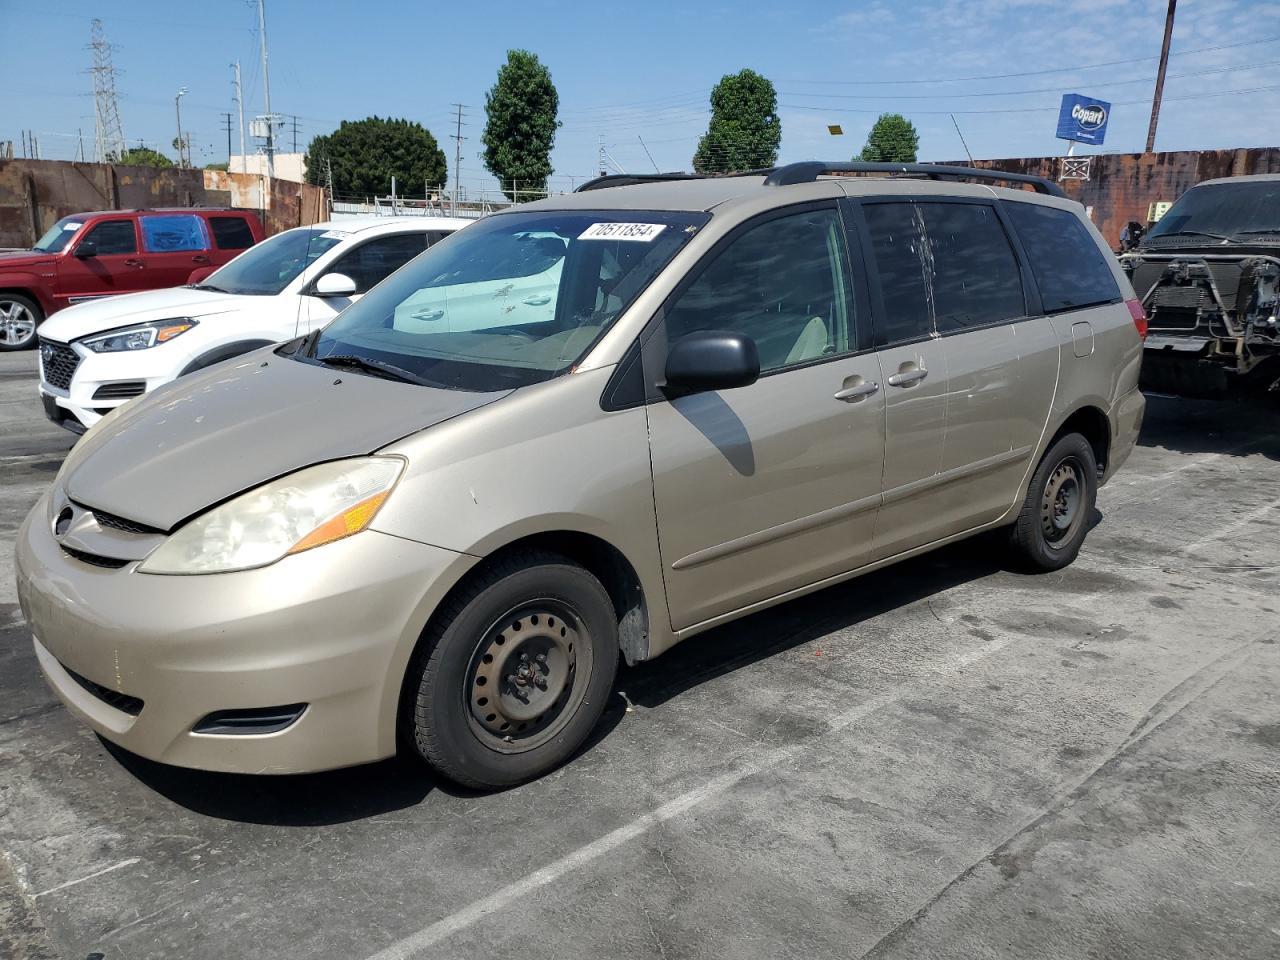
[{"x": 903, "y": 264}]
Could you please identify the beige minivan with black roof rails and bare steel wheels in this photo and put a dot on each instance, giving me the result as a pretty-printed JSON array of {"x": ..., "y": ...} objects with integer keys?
[{"x": 437, "y": 531}]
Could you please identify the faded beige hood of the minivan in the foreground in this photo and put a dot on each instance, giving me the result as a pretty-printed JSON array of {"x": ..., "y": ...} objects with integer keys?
[{"x": 221, "y": 432}]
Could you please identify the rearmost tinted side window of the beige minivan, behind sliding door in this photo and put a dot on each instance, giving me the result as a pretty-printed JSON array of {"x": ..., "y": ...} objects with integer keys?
[{"x": 1069, "y": 268}]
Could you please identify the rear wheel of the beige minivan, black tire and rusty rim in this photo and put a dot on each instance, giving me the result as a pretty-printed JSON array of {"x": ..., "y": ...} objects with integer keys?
[{"x": 1057, "y": 514}]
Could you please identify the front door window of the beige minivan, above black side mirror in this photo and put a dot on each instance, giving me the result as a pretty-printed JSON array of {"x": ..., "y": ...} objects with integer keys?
[{"x": 783, "y": 284}]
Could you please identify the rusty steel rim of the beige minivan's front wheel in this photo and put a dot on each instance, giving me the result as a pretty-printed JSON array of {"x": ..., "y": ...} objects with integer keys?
[{"x": 528, "y": 676}]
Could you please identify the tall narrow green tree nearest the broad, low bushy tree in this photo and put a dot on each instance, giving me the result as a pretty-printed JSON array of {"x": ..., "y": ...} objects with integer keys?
[{"x": 522, "y": 124}]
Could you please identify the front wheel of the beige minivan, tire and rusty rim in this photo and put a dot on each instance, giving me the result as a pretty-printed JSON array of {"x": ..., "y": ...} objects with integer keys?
[{"x": 540, "y": 636}]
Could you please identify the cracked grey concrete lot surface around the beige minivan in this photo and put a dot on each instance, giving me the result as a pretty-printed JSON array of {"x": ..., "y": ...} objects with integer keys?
[{"x": 944, "y": 760}]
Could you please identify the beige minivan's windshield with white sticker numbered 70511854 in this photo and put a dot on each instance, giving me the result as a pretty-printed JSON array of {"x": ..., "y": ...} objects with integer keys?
[{"x": 509, "y": 301}]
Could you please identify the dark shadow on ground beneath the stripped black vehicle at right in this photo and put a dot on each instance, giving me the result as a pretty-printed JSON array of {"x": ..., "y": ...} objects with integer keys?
[{"x": 1237, "y": 427}]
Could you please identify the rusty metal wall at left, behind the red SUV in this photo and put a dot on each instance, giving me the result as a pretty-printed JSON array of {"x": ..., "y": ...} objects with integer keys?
[{"x": 36, "y": 194}]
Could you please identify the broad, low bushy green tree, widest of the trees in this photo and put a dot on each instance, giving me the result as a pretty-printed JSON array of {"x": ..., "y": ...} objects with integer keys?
[{"x": 367, "y": 154}]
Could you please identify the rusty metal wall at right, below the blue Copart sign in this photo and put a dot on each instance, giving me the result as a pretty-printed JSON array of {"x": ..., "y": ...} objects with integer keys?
[{"x": 1122, "y": 186}]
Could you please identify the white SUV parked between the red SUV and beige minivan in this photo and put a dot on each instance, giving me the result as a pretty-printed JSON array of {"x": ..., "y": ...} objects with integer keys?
[{"x": 99, "y": 355}]
